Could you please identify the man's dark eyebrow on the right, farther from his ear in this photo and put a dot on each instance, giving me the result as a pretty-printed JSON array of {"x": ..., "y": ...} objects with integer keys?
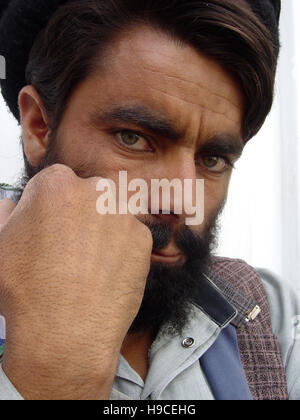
[{"x": 223, "y": 144}]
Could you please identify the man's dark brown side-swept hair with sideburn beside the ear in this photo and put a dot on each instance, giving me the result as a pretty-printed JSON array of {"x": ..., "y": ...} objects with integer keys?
[{"x": 67, "y": 50}]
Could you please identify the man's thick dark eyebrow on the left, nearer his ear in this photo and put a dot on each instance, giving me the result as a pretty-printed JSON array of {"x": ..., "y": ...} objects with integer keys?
[{"x": 141, "y": 117}]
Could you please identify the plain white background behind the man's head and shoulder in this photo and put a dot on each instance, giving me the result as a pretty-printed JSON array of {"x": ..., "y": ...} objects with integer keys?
[{"x": 261, "y": 223}]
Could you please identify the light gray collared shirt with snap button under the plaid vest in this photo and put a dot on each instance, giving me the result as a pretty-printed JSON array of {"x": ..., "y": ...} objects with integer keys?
[{"x": 175, "y": 372}]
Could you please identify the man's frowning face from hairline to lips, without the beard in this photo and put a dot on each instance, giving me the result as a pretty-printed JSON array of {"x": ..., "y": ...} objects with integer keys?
[{"x": 158, "y": 110}]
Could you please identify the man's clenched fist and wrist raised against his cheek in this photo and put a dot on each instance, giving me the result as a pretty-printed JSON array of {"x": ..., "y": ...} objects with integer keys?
[{"x": 71, "y": 284}]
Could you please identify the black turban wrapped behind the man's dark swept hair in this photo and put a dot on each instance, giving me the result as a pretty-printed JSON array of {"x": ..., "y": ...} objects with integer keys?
[{"x": 22, "y": 20}]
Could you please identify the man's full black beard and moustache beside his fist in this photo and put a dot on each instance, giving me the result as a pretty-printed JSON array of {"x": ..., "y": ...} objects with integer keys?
[{"x": 170, "y": 289}]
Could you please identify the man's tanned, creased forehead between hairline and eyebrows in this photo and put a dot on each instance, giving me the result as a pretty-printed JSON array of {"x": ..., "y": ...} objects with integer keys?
[{"x": 145, "y": 67}]
